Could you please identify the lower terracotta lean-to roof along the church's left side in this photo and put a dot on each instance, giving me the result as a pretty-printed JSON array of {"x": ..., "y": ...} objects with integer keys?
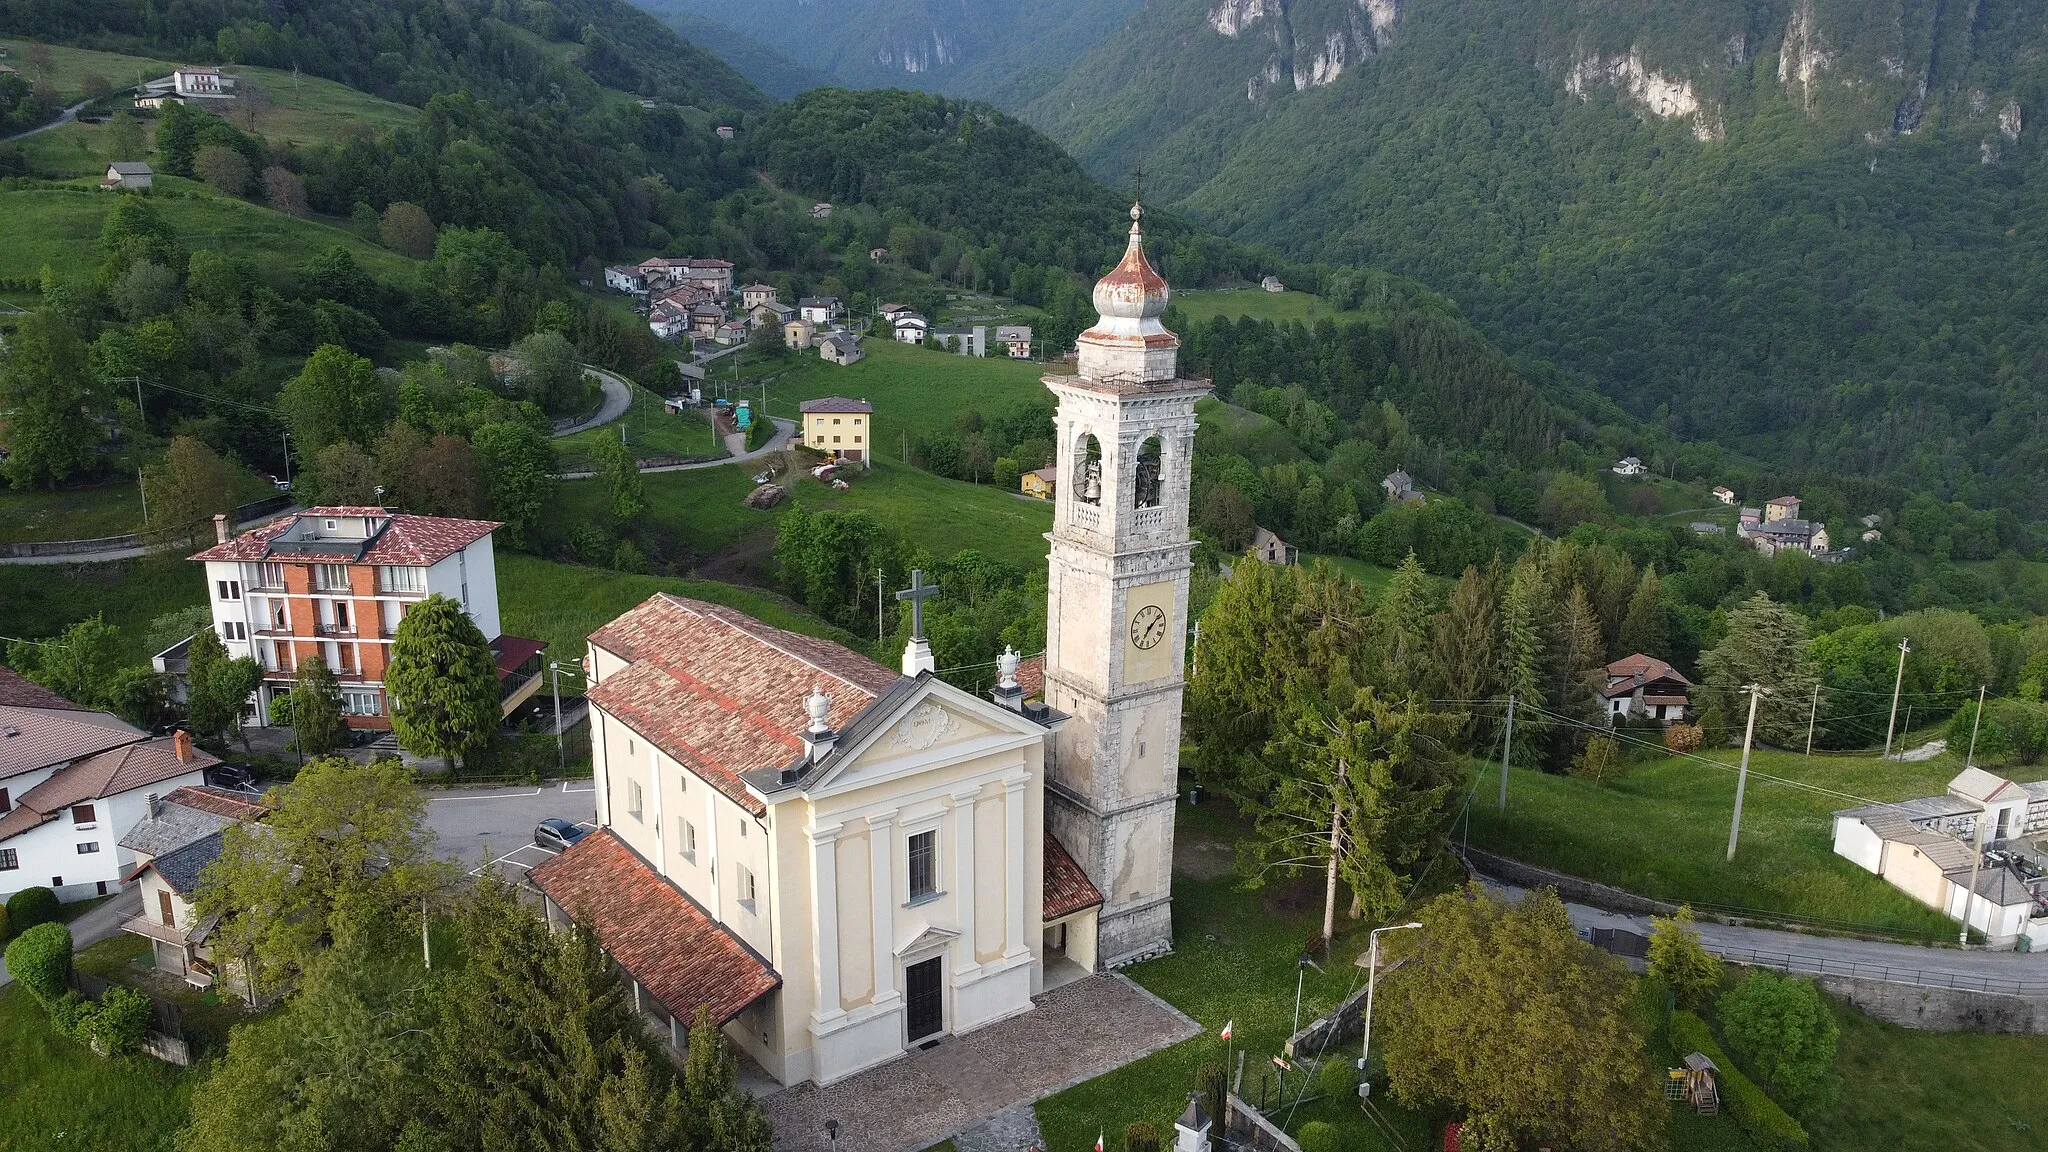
[{"x": 654, "y": 932}]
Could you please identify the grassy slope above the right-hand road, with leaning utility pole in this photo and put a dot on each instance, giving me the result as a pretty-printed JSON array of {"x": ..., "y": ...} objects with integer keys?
[{"x": 1664, "y": 831}]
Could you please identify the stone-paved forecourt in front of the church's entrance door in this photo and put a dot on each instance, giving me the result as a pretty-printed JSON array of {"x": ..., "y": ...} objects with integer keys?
[{"x": 1078, "y": 1032}]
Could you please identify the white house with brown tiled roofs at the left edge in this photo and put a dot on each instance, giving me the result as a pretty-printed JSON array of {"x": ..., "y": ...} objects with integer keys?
[{"x": 71, "y": 782}]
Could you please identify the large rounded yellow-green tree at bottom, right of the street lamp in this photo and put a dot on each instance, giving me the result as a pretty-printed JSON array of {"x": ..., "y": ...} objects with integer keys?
[{"x": 1566, "y": 1067}]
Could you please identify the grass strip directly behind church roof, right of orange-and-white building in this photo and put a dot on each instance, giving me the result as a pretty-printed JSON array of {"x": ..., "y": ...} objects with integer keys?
[{"x": 564, "y": 604}]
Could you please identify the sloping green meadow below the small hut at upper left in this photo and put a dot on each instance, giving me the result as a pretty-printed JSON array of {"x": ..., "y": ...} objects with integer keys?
[{"x": 62, "y": 229}]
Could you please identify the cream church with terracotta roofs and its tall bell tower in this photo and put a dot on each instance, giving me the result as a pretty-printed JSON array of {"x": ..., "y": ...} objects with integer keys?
[{"x": 845, "y": 862}]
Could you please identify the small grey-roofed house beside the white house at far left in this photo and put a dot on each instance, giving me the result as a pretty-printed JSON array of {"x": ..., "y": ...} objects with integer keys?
[{"x": 175, "y": 841}]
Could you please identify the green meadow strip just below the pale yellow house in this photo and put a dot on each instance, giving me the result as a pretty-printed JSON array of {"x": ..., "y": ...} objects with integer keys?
[{"x": 703, "y": 509}]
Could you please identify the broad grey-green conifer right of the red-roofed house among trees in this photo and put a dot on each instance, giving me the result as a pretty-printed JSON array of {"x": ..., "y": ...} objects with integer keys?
[{"x": 1766, "y": 645}]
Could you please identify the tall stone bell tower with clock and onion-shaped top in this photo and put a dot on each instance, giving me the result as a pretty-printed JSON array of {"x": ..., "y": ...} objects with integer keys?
[{"x": 1117, "y": 624}]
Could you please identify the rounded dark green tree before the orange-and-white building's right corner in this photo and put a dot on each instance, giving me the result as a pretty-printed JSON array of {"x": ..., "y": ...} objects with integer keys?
[{"x": 443, "y": 684}]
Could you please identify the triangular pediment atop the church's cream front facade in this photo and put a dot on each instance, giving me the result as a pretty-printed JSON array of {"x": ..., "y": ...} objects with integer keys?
[{"x": 925, "y": 731}]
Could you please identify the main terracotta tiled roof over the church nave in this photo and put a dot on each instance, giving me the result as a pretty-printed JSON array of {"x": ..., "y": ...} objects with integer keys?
[{"x": 722, "y": 694}]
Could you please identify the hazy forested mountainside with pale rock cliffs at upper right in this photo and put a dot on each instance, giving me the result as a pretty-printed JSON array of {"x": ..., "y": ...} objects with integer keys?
[{"x": 1807, "y": 229}]
